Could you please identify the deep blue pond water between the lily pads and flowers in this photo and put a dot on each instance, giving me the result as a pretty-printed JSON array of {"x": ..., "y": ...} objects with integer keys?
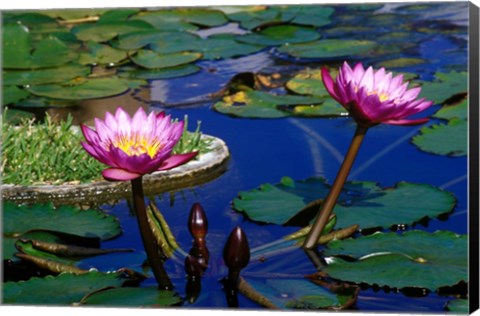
[{"x": 265, "y": 150}]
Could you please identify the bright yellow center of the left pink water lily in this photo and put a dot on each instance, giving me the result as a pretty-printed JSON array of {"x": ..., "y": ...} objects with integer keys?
[{"x": 136, "y": 145}]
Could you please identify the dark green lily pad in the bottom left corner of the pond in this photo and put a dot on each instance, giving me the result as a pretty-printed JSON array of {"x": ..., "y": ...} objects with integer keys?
[{"x": 64, "y": 289}]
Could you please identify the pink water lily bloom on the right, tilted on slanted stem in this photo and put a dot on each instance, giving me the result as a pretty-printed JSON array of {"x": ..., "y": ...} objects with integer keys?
[{"x": 374, "y": 97}]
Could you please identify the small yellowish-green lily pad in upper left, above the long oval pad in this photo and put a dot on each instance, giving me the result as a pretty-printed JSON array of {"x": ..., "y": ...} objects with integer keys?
[{"x": 101, "y": 54}]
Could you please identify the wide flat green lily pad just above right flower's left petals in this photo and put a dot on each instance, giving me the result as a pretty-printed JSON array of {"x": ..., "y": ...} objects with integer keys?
[{"x": 329, "y": 49}]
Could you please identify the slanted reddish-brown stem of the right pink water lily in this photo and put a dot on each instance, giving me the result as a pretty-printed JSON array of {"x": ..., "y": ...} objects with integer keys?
[{"x": 332, "y": 197}]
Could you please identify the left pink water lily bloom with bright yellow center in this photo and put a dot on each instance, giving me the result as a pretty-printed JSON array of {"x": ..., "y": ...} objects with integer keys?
[{"x": 134, "y": 146}]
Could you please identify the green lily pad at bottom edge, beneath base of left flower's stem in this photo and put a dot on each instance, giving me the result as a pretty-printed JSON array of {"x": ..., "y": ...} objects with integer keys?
[{"x": 132, "y": 297}]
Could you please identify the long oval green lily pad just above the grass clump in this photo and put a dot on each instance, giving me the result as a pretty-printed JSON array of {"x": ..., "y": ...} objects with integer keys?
[{"x": 83, "y": 89}]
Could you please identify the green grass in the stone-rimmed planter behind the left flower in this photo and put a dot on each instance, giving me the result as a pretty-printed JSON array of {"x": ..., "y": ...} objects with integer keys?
[{"x": 50, "y": 152}]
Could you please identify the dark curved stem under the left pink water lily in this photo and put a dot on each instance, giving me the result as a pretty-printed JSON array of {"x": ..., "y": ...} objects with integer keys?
[{"x": 149, "y": 243}]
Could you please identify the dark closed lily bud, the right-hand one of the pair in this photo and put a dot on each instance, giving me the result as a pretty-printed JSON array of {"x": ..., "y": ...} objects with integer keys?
[{"x": 236, "y": 252}]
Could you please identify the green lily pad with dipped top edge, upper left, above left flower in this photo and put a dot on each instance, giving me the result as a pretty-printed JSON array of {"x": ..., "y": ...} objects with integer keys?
[{"x": 152, "y": 60}]
